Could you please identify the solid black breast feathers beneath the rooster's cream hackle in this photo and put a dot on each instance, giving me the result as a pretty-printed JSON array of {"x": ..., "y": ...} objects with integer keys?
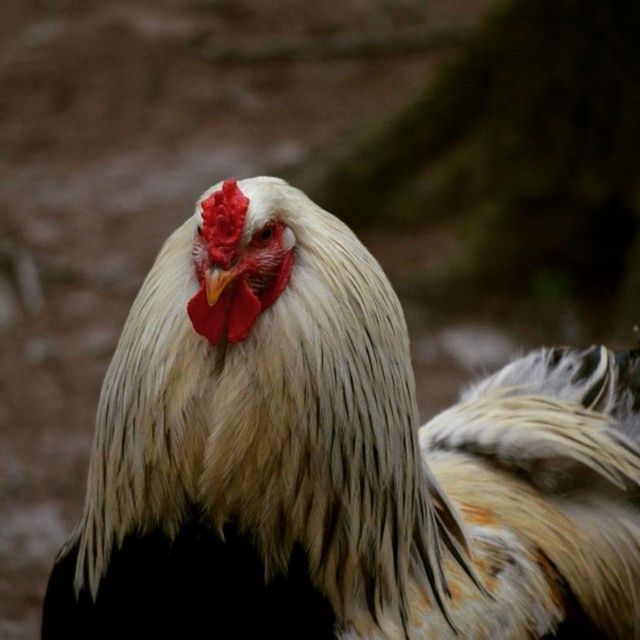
[{"x": 195, "y": 587}]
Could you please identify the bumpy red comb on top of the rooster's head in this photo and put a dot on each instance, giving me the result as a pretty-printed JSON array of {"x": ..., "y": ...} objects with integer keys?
[{"x": 223, "y": 214}]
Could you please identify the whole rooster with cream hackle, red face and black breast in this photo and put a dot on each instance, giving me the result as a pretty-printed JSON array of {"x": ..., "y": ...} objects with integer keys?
[{"x": 259, "y": 470}]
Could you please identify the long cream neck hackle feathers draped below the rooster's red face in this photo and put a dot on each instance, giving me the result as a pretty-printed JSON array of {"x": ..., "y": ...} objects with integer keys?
[{"x": 303, "y": 434}]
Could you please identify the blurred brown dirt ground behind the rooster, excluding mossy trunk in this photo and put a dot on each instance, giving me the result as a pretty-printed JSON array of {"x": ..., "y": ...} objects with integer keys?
[{"x": 111, "y": 124}]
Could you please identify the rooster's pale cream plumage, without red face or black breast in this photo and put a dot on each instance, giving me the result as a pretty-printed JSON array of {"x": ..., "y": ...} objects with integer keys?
[{"x": 512, "y": 510}]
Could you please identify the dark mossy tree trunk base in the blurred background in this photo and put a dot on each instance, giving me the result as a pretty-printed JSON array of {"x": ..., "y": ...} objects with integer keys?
[{"x": 530, "y": 136}]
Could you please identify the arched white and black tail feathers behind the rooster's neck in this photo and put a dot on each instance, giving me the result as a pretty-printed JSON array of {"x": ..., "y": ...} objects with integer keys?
[{"x": 552, "y": 415}]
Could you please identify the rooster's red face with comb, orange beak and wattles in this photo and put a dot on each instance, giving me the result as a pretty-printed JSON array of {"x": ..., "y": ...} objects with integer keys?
[{"x": 241, "y": 272}]
